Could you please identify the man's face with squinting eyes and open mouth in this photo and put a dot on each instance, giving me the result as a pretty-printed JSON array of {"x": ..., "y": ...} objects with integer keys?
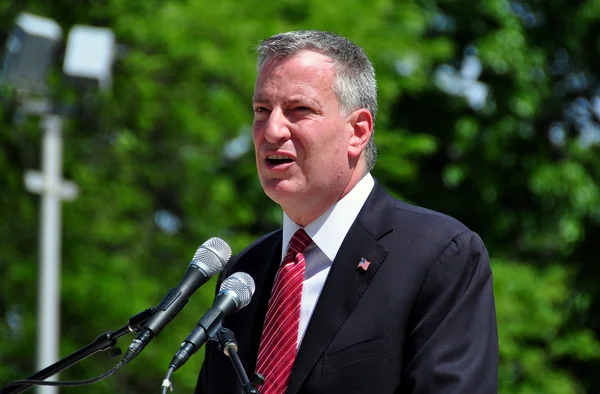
[{"x": 300, "y": 136}]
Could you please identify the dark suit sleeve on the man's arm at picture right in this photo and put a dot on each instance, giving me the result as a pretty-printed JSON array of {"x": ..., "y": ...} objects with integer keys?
[{"x": 452, "y": 345}]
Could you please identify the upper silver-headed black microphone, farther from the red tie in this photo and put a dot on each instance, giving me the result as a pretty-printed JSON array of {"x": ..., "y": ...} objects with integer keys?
[{"x": 210, "y": 258}]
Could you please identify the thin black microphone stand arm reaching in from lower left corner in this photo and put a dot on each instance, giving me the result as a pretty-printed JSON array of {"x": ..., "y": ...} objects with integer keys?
[{"x": 106, "y": 341}]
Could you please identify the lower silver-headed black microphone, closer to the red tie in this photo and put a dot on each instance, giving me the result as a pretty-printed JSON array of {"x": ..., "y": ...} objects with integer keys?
[{"x": 235, "y": 293}]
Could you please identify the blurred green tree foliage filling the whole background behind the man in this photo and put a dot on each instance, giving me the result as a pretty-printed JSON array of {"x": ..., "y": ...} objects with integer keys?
[{"x": 488, "y": 112}]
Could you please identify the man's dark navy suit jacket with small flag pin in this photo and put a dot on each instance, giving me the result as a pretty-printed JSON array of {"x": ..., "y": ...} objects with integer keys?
[{"x": 420, "y": 320}]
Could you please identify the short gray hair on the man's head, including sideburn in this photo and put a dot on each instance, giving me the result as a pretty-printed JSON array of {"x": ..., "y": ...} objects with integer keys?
[{"x": 355, "y": 85}]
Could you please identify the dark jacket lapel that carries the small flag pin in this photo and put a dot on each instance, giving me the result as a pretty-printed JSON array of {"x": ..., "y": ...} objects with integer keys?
[{"x": 345, "y": 284}]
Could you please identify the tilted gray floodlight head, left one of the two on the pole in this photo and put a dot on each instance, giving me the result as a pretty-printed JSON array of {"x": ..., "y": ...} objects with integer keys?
[{"x": 29, "y": 51}]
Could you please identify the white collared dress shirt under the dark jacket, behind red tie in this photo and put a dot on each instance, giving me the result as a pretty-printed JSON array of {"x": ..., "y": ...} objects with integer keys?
[{"x": 327, "y": 232}]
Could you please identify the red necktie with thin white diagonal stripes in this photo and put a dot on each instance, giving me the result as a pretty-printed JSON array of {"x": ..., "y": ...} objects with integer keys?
[{"x": 279, "y": 340}]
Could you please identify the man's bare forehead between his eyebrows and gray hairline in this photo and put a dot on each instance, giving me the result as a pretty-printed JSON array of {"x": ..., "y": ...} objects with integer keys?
[{"x": 306, "y": 72}]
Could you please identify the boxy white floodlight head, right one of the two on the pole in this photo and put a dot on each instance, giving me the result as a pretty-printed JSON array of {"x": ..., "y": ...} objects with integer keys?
[{"x": 89, "y": 55}]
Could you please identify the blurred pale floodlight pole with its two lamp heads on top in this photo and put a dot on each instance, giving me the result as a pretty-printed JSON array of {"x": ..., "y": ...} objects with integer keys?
[{"x": 29, "y": 52}]
